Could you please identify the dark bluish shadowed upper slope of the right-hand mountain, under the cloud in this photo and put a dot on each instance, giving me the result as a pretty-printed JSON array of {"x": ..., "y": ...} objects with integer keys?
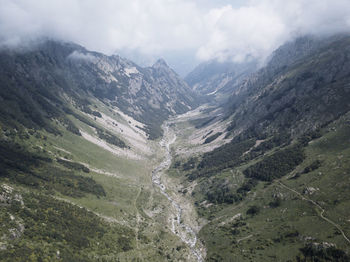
[{"x": 303, "y": 81}]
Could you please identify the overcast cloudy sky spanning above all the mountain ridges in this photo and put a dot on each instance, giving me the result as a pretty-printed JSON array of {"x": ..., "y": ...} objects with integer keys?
[{"x": 201, "y": 29}]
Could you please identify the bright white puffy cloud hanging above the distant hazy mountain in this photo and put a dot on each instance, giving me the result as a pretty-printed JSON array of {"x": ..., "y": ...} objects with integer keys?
[{"x": 238, "y": 33}]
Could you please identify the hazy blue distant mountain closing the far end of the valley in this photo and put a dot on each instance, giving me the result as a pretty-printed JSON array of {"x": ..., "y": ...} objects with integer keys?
[{"x": 214, "y": 78}]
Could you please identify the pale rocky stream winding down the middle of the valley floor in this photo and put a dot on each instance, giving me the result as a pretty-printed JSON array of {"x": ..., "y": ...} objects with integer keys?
[{"x": 178, "y": 227}]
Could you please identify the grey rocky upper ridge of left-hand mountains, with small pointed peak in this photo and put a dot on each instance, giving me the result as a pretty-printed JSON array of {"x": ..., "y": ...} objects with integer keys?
[{"x": 50, "y": 72}]
